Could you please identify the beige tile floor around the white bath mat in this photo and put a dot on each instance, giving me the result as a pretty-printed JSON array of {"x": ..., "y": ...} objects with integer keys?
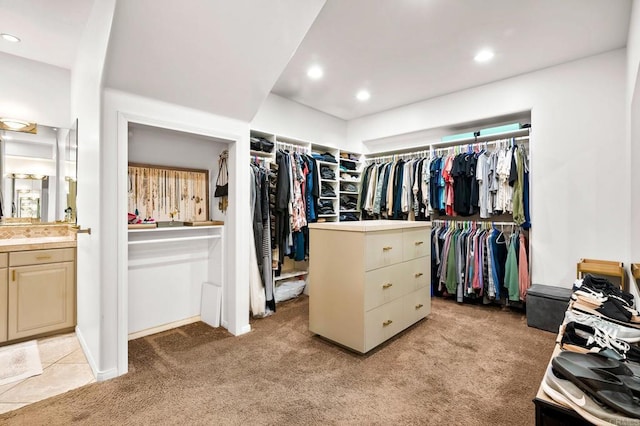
[{"x": 64, "y": 368}]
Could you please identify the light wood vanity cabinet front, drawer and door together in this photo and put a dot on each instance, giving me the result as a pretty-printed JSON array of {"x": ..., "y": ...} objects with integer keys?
[{"x": 41, "y": 294}]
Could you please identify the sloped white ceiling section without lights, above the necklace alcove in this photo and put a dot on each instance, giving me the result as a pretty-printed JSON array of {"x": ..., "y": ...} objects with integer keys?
[{"x": 216, "y": 56}]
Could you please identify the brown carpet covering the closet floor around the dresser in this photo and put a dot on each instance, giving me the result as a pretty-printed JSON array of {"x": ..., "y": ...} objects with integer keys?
[{"x": 465, "y": 365}]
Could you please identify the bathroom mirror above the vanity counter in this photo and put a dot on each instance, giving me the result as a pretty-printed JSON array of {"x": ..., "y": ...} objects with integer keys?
[{"x": 39, "y": 175}]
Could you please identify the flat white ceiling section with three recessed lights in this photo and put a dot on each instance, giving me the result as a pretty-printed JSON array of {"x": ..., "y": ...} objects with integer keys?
[{"x": 405, "y": 51}]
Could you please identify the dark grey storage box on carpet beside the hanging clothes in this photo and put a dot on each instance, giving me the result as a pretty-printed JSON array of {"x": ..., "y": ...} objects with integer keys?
[{"x": 546, "y": 306}]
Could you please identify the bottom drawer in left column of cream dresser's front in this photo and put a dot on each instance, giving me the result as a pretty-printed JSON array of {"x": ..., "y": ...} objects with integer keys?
[{"x": 383, "y": 322}]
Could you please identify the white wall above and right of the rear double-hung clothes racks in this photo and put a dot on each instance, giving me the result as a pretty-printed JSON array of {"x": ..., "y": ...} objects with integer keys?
[{"x": 579, "y": 164}]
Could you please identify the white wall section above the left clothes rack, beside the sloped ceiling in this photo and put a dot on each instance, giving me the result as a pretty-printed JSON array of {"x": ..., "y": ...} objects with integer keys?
[{"x": 287, "y": 118}]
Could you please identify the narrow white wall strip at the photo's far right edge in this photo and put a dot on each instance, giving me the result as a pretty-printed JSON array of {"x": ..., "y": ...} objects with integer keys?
[{"x": 633, "y": 117}]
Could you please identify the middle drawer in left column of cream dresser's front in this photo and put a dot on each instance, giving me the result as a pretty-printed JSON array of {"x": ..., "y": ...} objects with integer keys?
[{"x": 383, "y": 285}]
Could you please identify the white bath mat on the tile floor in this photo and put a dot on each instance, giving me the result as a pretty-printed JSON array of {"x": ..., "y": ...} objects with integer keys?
[{"x": 19, "y": 361}]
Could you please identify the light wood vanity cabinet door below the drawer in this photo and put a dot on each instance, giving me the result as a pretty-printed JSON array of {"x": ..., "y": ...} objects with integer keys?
[{"x": 41, "y": 299}]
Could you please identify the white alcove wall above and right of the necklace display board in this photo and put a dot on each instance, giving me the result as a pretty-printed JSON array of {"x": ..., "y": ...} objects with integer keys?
[{"x": 150, "y": 145}]
